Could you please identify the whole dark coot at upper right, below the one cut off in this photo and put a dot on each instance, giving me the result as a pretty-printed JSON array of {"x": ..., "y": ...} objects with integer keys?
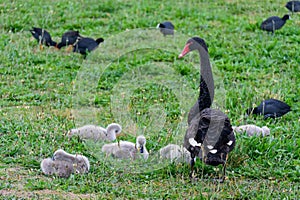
[{"x": 274, "y": 23}]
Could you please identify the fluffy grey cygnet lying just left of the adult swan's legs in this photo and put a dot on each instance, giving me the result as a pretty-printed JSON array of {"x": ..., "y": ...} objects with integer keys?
[{"x": 175, "y": 153}]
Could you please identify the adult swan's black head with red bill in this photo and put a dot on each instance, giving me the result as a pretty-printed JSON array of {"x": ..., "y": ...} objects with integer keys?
[{"x": 193, "y": 44}]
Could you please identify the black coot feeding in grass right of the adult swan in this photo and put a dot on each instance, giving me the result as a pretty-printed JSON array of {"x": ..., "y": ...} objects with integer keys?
[{"x": 272, "y": 108}]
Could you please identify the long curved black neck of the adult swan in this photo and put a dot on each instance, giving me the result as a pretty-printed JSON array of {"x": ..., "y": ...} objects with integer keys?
[{"x": 206, "y": 95}]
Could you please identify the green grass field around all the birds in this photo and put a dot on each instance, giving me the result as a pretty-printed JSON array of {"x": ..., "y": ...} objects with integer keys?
[{"x": 135, "y": 78}]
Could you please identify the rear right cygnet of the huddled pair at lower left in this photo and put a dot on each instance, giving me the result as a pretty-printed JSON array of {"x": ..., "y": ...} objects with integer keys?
[{"x": 80, "y": 163}]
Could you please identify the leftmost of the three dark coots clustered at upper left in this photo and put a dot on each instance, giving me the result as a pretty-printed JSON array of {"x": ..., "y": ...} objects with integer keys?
[{"x": 43, "y": 37}]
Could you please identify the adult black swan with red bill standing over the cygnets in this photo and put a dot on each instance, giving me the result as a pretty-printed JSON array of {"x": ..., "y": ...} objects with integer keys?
[{"x": 210, "y": 135}]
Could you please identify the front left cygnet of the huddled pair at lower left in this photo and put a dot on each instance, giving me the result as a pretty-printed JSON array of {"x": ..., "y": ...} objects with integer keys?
[{"x": 58, "y": 168}]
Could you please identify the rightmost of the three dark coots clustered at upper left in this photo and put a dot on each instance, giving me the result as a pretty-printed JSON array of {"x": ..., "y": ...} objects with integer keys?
[{"x": 86, "y": 45}]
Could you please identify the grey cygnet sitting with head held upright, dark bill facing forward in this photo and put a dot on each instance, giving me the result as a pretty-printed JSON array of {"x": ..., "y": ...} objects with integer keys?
[{"x": 125, "y": 149}]
